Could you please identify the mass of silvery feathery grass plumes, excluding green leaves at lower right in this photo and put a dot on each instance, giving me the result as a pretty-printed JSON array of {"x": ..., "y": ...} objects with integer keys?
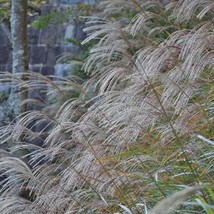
[{"x": 140, "y": 84}]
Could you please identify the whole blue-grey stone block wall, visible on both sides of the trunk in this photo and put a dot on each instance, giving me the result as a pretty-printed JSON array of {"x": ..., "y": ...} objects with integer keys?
[{"x": 46, "y": 46}]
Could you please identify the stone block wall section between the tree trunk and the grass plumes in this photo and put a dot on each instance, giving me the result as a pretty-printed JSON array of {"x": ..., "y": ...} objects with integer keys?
[{"x": 47, "y": 46}]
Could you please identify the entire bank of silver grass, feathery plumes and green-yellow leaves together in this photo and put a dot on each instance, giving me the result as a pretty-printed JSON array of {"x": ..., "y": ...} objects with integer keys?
[{"x": 139, "y": 130}]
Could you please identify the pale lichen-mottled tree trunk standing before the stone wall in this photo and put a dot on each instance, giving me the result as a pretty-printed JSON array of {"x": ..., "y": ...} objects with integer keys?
[{"x": 20, "y": 48}]
